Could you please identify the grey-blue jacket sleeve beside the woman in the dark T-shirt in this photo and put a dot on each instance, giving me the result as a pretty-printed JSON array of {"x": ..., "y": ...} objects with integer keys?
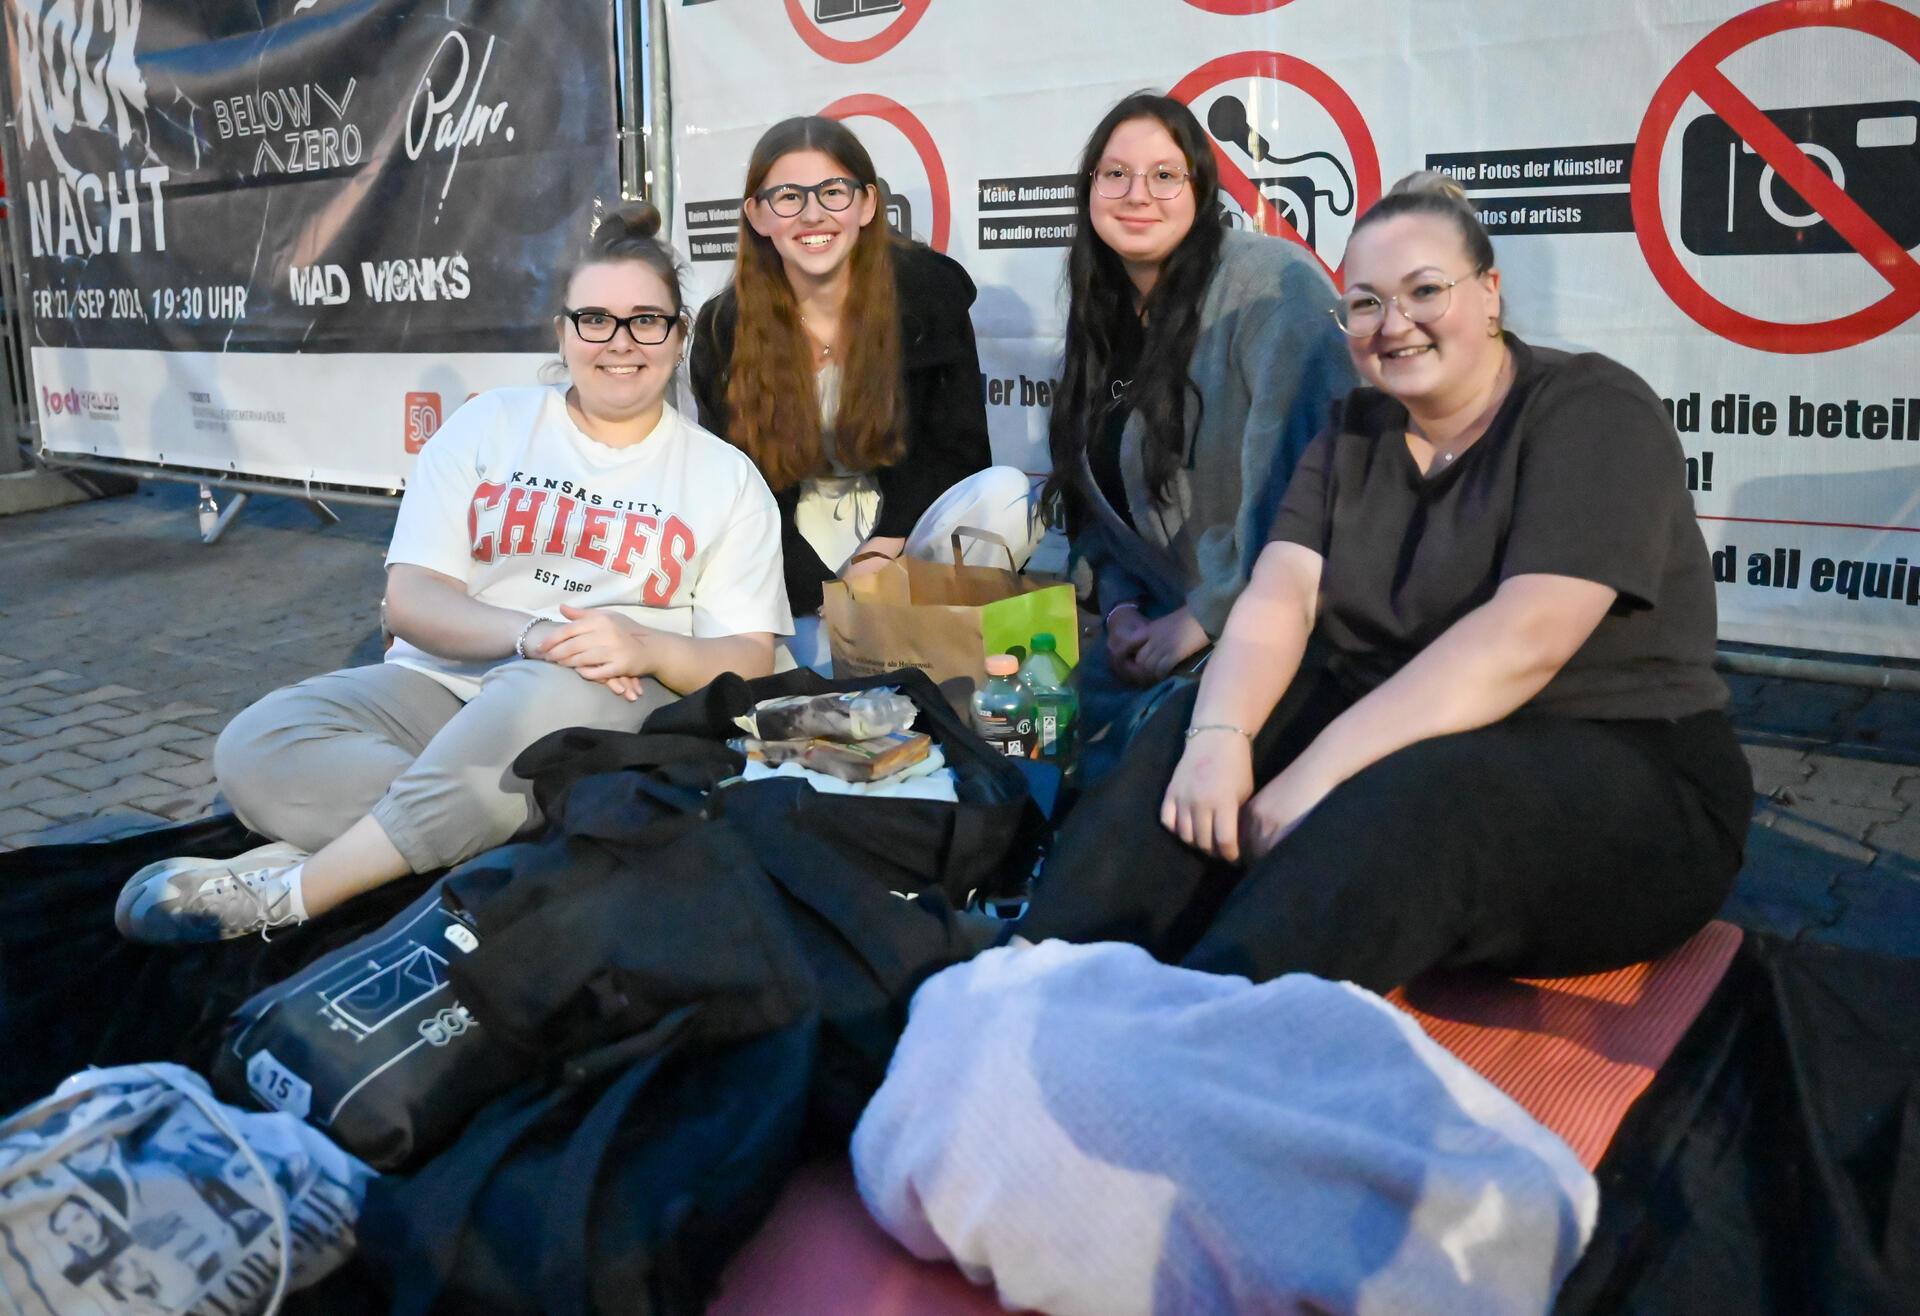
[{"x": 1293, "y": 362}]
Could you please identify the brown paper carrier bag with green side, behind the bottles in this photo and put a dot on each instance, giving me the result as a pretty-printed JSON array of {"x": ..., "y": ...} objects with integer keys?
[{"x": 946, "y": 621}]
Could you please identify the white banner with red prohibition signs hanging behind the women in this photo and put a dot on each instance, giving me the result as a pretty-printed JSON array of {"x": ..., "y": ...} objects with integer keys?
[{"x": 1635, "y": 160}]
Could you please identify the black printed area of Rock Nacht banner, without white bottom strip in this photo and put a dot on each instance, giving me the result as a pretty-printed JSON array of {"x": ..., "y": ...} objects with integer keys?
[{"x": 306, "y": 176}]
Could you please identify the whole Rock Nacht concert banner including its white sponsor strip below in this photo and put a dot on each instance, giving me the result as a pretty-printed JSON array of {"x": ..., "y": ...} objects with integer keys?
[{"x": 287, "y": 237}]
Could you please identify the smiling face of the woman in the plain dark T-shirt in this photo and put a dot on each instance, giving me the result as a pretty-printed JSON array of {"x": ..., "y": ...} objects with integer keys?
[{"x": 1426, "y": 366}]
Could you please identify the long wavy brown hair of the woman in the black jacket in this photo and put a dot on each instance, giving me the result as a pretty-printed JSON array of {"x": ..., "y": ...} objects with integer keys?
[{"x": 775, "y": 412}]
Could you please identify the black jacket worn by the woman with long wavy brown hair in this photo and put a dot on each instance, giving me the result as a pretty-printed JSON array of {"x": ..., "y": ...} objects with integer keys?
[{"x": 946, "y": 410}]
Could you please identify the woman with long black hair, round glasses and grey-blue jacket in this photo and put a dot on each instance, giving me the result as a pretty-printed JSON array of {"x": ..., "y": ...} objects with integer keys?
[{"x": 1199, "y": 366}]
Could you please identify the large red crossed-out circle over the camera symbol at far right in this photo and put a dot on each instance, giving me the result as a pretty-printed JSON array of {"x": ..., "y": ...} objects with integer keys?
[{"x": 1700, "y": 74}]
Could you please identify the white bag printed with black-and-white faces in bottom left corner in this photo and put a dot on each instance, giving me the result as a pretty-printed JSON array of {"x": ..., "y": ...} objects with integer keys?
[{"x": 135, "y": 1192}]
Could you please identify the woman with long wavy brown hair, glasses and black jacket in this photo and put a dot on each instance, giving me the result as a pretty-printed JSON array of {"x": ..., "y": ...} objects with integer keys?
[{"x": 842, "y": 360}]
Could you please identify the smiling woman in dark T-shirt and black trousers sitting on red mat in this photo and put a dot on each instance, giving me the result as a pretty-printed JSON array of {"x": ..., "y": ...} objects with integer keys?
[{"x": 1516, "y": 754}]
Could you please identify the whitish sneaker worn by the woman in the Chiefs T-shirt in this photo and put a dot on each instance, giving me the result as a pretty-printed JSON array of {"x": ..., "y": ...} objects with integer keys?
[{"x": 212, "y": 900}]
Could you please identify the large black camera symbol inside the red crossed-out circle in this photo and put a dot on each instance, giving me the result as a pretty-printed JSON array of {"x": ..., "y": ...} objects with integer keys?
[{"x": 1733, "y": 203}]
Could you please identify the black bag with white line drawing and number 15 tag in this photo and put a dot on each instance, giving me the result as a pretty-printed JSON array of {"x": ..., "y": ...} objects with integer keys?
[{"x": 370, "y": 1044}]
